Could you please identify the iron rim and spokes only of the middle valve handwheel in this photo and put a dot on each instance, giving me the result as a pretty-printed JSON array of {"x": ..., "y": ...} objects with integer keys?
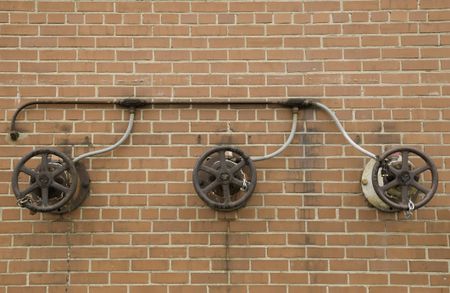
[{"x": 225, "y": 178}]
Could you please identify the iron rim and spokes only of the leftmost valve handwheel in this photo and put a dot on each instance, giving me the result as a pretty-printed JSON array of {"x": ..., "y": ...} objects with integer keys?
[{"x": 44, "y": 179}]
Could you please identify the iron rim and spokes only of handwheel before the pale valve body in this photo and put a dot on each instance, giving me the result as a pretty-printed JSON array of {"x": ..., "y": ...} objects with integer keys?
[{"x": 405, "y": 178}]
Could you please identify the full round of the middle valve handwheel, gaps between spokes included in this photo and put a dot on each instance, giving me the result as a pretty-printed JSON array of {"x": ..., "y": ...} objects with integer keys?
[{"x": 224, "y": 178}]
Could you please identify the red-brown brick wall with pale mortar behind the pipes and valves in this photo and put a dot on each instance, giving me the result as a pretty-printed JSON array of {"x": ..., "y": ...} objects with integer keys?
[{"x": 383, "y": 65}]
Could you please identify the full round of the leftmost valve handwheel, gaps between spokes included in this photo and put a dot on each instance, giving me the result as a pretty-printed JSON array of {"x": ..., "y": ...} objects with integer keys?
[{"x": 50, "y": 177}]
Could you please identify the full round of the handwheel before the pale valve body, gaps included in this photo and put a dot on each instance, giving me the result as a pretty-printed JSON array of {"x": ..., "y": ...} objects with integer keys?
[{"x": 415, "y": 186}]
